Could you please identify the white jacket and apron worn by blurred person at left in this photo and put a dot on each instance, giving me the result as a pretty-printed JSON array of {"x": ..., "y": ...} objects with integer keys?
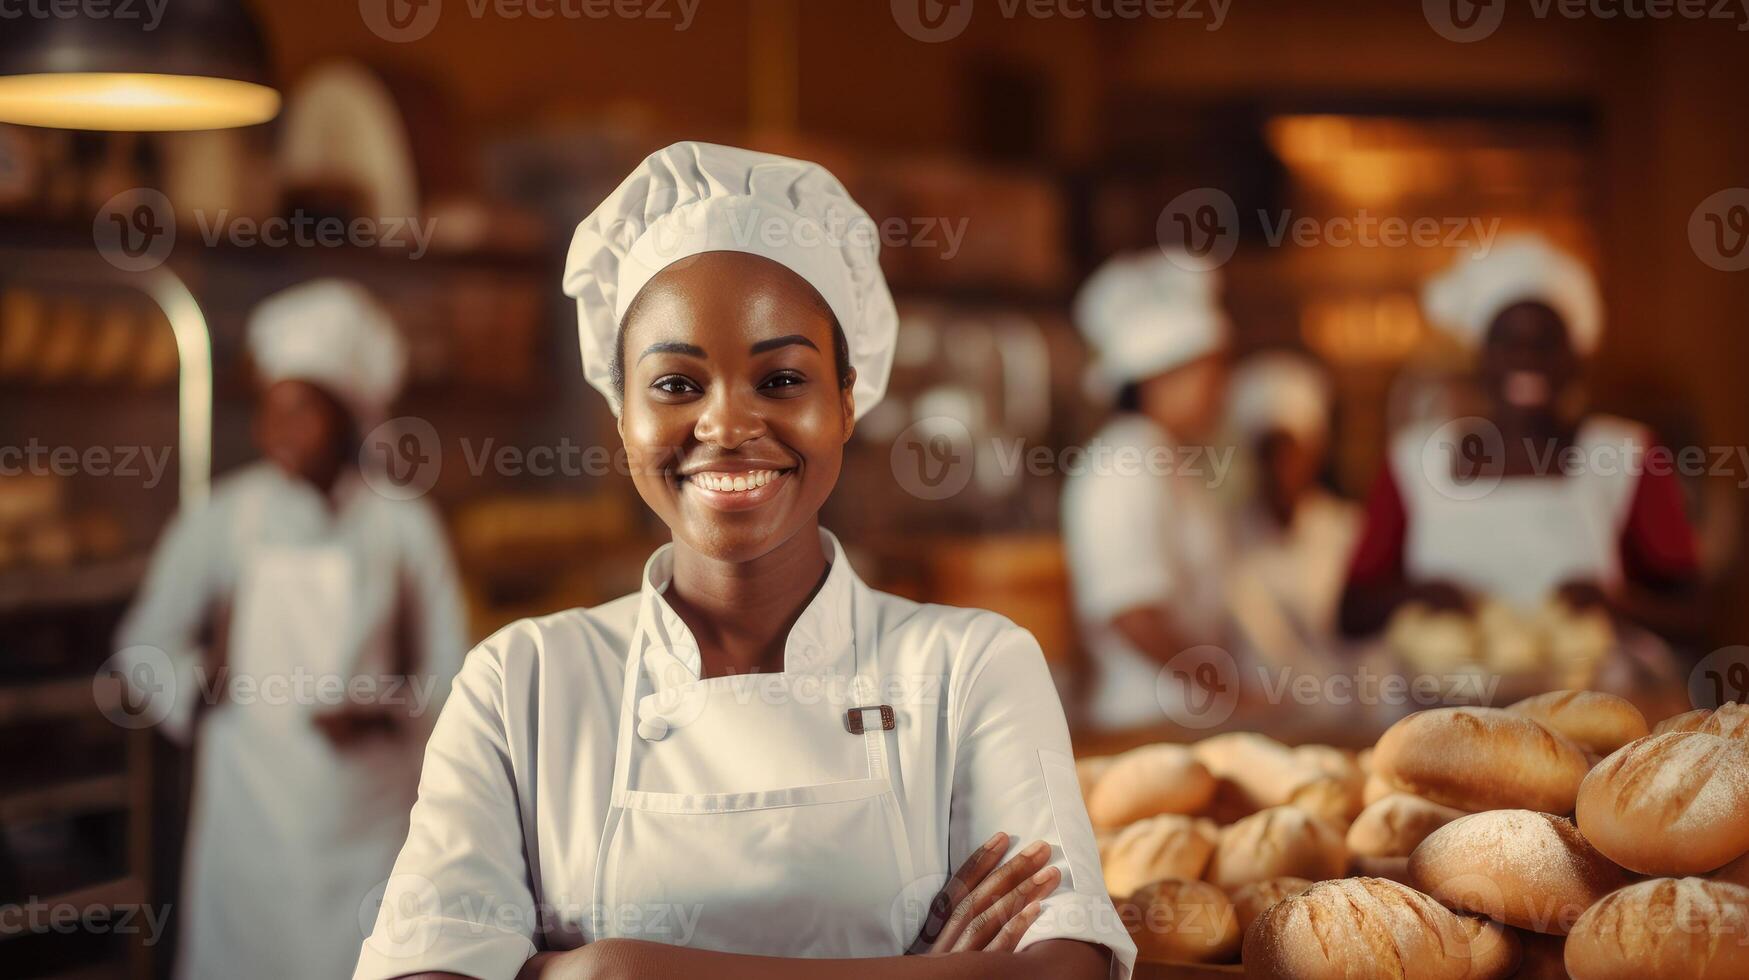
[{"x": 289, "y": 832}]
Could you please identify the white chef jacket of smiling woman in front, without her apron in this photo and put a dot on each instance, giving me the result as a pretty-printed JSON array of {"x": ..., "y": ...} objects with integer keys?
[{"x": 506, "y": 834}]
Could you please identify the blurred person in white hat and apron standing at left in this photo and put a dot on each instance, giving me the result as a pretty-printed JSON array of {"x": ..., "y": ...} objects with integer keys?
[{"x": 310, "y": 629}]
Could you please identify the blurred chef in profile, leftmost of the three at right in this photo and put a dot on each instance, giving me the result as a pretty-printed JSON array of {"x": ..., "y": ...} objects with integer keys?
[{"x": 1143, "y": 528}]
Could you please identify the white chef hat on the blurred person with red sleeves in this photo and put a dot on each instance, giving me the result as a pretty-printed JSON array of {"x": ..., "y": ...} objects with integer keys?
[{"x": 1467, "y": 298}]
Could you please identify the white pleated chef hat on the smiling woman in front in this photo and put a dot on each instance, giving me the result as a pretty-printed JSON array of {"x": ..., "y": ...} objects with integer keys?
[{"x": 693, "y": 199}]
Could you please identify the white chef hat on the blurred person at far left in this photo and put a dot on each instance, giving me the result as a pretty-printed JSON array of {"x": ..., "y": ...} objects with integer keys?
[{"x": 335, "y": 335}]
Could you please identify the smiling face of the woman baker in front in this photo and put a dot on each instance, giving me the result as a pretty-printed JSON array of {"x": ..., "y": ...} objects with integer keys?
[{"x": 734, "y": 416}]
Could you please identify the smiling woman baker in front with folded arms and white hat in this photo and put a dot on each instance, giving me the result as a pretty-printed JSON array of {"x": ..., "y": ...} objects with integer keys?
[{"x": 756, "y": 766}]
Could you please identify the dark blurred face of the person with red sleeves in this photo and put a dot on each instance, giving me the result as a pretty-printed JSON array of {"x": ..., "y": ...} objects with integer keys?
[{"x": 1528, "y": 361}]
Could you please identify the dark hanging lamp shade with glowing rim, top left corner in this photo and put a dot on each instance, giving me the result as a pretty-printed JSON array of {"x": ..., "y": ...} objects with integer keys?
[{"x": 137, "y": 67}]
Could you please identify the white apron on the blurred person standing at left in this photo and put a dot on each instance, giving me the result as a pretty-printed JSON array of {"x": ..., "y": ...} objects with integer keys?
[{"x": 289, "y": 834}]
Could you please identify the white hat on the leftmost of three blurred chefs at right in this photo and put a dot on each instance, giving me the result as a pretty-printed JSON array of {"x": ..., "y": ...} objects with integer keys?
[{"x": 1146, "y": 314}]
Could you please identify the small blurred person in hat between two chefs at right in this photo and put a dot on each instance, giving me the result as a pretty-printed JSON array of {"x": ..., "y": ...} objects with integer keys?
[{"x": 1292, "y": 538}]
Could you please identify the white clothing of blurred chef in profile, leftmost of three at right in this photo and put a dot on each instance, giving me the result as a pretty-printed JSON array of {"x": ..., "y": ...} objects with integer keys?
[{"x": 1141, "y": 528}]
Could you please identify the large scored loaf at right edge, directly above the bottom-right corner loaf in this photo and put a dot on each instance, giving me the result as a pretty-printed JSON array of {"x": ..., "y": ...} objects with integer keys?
[{"x": 1675, "y": 804}]
